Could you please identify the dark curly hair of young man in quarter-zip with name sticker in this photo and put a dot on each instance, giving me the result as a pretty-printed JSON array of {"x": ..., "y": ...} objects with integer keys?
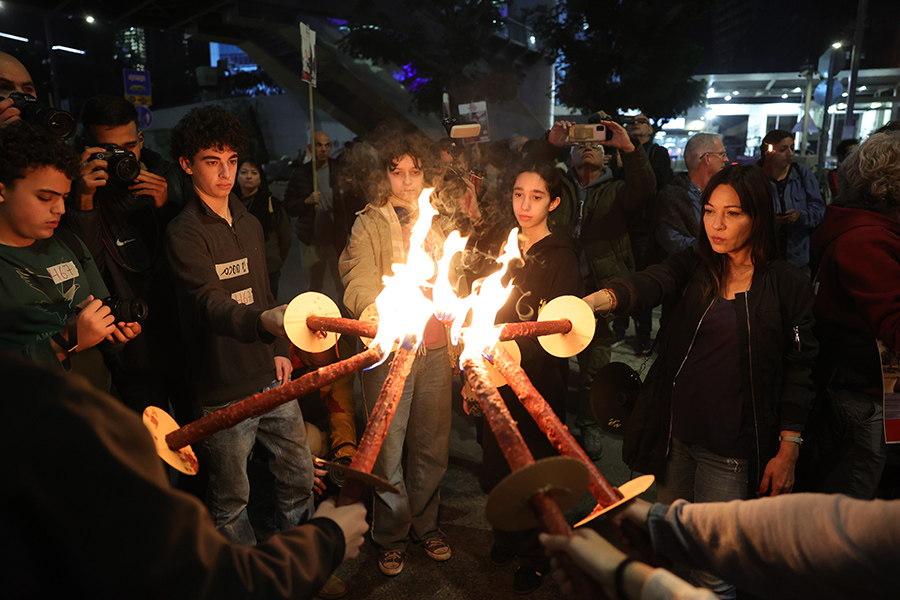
[{"x": 209, "y": 126}]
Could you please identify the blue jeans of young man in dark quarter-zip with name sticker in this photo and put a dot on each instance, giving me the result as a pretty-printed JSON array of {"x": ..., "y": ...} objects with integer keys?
[{"x": 283, "y": 434}]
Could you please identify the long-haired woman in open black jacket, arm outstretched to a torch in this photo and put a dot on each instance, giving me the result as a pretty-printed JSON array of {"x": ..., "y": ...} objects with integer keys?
[{"x": 722, "y": 410}]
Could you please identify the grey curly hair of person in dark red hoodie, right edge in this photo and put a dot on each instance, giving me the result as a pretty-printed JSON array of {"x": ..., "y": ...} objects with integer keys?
[{"x": 873, "y": 172}]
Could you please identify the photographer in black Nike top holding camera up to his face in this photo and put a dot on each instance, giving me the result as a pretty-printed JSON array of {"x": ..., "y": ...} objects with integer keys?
[{"x": 120, "y": 207}]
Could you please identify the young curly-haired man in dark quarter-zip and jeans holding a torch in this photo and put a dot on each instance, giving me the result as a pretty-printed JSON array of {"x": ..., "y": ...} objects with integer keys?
[{"x": 233, "y": 330}]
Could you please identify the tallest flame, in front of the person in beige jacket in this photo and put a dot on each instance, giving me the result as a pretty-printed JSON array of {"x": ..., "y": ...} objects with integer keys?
[{"x": 403, "y": 308}]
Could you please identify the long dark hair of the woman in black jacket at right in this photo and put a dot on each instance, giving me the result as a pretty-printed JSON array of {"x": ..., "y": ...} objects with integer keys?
[{"x": 752, "y": 187}]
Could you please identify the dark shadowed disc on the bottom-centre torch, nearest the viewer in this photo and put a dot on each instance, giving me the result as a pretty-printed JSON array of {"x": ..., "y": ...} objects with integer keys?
[{"x": 508, "y": 508}]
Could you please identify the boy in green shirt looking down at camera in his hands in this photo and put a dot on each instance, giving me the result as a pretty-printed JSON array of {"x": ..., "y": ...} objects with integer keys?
[{"x": 50, "y": 291}]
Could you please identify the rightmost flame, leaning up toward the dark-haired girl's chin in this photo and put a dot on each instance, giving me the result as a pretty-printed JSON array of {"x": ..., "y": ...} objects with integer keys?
[{"x": 485, "y": 301}]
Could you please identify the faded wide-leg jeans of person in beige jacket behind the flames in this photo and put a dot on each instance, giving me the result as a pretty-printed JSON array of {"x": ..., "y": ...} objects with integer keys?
[{"x": 422, "y": 423}]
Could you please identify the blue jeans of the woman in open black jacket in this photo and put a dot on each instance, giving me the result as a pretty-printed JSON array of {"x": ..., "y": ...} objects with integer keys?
[{"x": 698, "y": 475}]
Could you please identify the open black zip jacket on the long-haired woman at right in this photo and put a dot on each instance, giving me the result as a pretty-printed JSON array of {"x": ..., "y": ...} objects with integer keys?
[{"x": 775, "y": 322}]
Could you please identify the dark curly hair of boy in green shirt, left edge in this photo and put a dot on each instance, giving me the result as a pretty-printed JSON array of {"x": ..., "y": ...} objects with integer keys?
[{"x": 24, "y": 146}]
